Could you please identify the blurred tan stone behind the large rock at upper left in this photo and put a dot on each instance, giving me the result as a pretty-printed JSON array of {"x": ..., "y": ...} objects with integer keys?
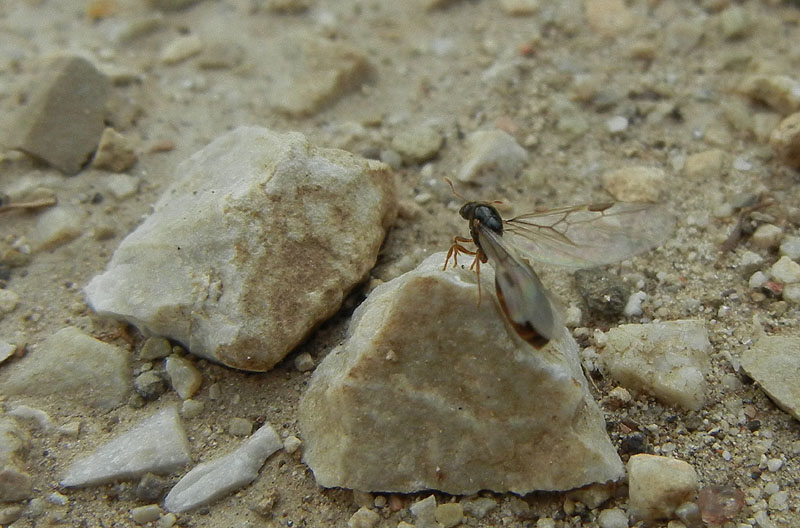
[{"x": 311, "y": 72}]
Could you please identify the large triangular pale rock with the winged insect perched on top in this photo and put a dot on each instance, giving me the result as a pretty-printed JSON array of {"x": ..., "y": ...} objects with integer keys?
[{"x": 431, "y": 391}]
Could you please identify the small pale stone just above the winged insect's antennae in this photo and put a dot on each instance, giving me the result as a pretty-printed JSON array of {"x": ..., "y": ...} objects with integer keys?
[{"x": 492, "y": 152}]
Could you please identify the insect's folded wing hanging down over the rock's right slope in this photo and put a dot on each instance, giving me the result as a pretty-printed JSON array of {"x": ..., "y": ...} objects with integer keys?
[{"x": 522, "y": 296}]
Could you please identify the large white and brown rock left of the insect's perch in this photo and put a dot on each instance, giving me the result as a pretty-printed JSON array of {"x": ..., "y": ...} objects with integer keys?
[{"x": 256, "y": 243}]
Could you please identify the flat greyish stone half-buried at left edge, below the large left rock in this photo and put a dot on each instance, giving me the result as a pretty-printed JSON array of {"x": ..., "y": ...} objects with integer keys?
[{"x": 71, "y": 365}]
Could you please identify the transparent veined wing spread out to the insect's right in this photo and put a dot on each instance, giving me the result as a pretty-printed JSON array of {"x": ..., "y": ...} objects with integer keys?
[{"x": 589, "y": 235}]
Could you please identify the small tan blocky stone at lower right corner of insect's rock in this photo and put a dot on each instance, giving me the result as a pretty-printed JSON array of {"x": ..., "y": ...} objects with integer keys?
[{"x": 658, "y": 485}]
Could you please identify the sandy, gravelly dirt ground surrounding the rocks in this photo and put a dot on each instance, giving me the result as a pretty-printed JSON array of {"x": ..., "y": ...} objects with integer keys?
[{"x": 553, "y": 80}]
